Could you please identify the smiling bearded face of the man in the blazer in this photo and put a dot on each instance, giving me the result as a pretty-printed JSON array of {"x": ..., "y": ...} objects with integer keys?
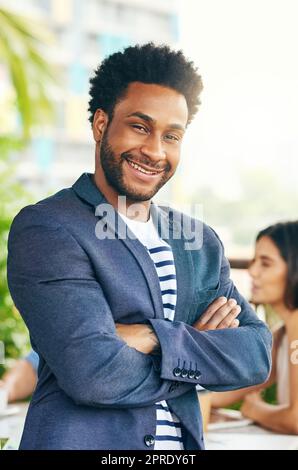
[{"x": 140, "y": 148}]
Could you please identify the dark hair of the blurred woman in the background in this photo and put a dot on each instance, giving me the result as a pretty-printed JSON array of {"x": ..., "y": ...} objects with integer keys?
[{"x": 285, "y": 236}]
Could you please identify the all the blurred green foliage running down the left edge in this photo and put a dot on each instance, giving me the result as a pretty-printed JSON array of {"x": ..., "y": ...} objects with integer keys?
[{"x": 21, "y": 43}]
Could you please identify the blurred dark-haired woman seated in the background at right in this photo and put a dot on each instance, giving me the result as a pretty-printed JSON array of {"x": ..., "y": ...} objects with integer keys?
[{"x": 274, "y": 273}]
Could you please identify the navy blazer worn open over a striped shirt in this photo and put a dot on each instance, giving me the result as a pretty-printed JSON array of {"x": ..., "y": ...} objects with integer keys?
[{"x": 71, "y": 286}]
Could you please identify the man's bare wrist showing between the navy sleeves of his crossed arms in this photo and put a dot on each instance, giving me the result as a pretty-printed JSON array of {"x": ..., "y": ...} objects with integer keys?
[{"x": 139, "y": 336}]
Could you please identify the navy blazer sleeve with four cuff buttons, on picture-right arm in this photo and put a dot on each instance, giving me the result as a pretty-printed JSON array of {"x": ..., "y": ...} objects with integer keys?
[{"x": 218, "y": 360}]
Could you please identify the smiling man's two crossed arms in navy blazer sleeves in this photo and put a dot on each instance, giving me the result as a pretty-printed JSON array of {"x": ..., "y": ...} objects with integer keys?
[{"x": 53, "y": 286}]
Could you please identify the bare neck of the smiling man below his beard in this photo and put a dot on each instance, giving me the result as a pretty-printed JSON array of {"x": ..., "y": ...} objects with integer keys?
[{"x": 136, "y": 210}]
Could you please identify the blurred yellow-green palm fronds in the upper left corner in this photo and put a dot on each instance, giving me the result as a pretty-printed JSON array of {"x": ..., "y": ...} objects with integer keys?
[{"x": 21, "y": 51}]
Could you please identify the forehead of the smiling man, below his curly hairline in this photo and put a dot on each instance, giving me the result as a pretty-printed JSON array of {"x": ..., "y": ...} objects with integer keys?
[{"x": 163, "y": 104}]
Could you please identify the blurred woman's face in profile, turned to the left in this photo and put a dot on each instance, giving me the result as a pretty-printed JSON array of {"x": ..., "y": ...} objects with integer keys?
[{"x": 268, "y": 271}]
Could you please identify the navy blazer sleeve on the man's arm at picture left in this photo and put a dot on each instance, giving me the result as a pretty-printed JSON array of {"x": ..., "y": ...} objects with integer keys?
[{"x": 53, "y": 286}]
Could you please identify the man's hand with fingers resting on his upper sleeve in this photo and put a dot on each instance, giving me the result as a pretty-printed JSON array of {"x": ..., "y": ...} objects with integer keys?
[{"x": 220, "y": 314}]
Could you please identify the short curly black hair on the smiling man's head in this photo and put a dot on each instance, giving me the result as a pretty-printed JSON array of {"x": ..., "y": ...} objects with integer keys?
[{"x": 147, "y": 64}]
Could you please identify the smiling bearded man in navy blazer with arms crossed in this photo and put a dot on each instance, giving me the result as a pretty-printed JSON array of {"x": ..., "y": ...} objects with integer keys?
[{"x": 117, "y": 320}]
